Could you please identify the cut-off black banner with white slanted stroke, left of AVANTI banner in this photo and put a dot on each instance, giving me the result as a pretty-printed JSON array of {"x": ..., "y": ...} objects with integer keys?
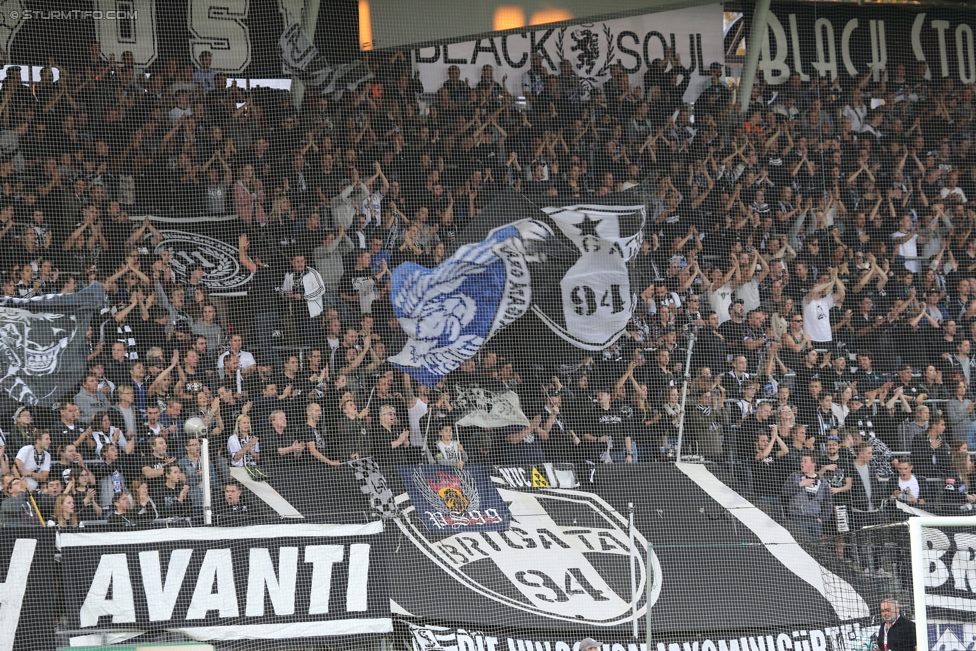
[{"x": 28, "y": 589}]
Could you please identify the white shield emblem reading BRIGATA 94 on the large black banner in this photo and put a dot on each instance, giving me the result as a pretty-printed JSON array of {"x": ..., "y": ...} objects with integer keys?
[{"x": 547, "y": 562}]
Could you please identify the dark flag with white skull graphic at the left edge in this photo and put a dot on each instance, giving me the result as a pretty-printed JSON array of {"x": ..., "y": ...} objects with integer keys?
[{"x": 42, "y": 343}]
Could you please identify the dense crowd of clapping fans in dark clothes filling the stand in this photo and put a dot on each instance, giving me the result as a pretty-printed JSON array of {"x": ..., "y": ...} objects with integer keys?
[{"x": 817, "y": 255}]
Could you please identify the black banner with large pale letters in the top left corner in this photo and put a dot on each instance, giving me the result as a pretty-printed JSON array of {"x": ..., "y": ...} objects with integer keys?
[{"x": 241, "y": 35}]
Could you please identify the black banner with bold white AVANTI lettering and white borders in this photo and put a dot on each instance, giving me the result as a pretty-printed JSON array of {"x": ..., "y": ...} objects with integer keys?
[{"x": 259, "y": 582}]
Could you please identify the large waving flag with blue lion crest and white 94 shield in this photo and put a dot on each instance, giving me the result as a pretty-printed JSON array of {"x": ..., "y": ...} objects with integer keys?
[{"x": 567, "y": 265}]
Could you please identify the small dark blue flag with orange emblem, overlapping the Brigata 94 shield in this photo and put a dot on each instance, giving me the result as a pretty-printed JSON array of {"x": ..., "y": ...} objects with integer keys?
[{"x": 449, "y": 500}]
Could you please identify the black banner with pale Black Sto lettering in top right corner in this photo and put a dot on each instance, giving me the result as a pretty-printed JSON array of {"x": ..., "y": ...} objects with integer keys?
[{"x": 835, "y": 40}]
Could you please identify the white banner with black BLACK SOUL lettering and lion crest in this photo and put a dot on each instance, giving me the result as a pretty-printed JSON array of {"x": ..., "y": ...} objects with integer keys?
[{"x": 633, "y": 42}]
